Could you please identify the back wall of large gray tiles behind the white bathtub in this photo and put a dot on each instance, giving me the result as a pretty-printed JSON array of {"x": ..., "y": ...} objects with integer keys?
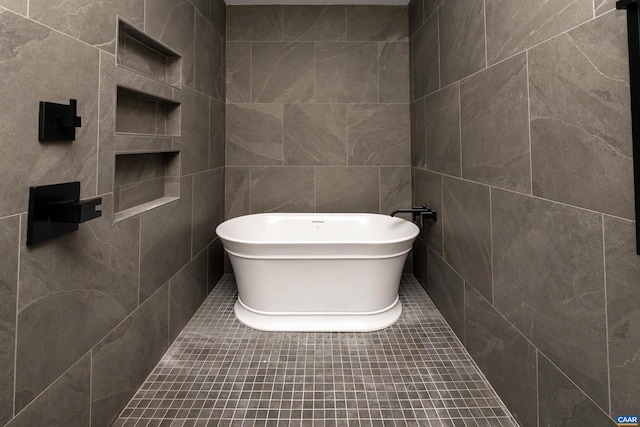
[{"x": 317, "y": 109}]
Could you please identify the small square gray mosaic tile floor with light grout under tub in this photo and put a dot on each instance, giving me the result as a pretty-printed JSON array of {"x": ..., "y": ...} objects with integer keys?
[{"x": 219, "y": 372}]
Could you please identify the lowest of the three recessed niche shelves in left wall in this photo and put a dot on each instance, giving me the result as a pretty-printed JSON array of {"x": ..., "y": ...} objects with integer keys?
[{"x": 144, "y": 181}]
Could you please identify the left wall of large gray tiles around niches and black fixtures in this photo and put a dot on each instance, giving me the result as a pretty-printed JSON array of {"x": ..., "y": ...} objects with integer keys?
[{"x": 85, "y": 317}]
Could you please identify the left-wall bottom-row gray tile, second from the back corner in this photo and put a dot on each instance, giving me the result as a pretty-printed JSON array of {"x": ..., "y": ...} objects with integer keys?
[{"x": 187, "y": 290}]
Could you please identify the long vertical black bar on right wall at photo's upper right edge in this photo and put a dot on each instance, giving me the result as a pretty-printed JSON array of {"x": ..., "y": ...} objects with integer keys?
[{"x": 633, "y": 26}]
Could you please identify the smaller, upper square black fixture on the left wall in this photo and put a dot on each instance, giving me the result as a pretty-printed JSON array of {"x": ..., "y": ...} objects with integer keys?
[{"x": 58, "y": 122}]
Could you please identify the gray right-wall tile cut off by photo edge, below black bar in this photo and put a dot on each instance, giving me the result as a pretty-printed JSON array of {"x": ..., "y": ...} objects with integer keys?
[{"x": 623, "y": 314}]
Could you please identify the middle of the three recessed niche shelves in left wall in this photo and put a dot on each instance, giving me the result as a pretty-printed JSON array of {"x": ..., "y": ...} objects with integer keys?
[{"x": 145, "y": 114}]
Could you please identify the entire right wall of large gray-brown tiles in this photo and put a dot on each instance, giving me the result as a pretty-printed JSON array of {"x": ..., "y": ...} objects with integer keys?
[{"x": 521, "y": 139}]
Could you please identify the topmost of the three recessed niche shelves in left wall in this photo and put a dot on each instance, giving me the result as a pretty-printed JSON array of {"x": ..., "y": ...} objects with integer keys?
[{"x": 145, "y": 55}]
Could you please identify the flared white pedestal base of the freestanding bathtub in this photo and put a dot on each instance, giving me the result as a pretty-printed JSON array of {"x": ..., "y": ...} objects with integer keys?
[{"x": 318, "y": 322}]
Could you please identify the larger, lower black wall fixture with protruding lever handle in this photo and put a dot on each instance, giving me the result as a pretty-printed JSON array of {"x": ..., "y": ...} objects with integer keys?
[{"x": 56, "y": 209}]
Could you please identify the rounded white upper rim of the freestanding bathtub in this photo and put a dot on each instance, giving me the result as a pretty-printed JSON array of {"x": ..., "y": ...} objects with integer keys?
[{"x": 415, "y": 232}]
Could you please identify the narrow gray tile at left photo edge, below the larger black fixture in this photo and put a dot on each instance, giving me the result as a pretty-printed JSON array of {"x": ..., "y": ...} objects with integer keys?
[{"x": 9, "y": 245}]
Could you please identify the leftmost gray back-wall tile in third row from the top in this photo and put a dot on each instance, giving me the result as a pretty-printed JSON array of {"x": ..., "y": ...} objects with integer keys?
[{"x": 254, "y": 135}]
